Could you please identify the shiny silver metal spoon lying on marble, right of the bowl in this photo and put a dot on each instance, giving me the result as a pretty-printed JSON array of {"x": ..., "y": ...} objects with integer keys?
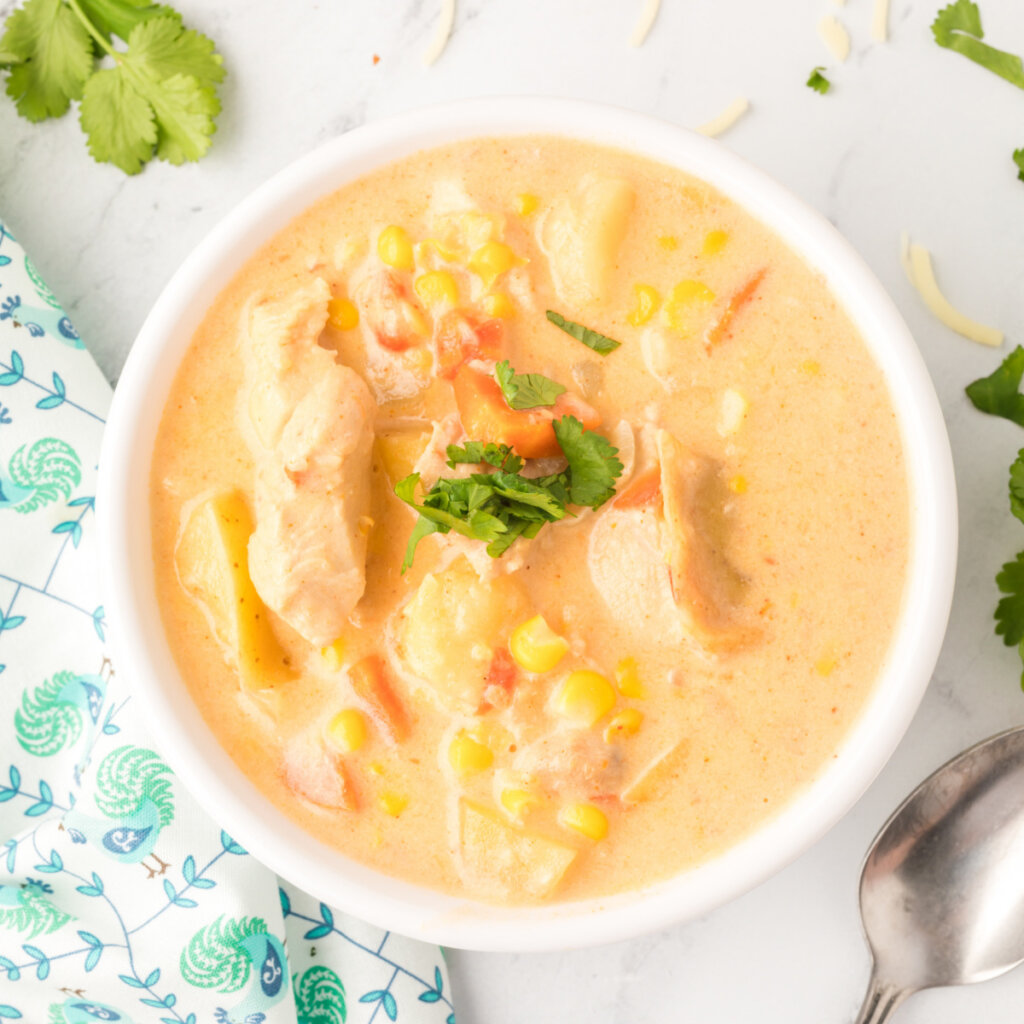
[{"x": 943, "y": 890}]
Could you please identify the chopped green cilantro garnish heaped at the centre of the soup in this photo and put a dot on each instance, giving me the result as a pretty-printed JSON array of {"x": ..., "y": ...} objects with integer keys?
[{"x": 499, "y": 506}]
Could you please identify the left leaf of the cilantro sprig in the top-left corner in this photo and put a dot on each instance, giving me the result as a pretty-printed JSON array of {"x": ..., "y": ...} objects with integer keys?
[{"x": 50, "y": 53}]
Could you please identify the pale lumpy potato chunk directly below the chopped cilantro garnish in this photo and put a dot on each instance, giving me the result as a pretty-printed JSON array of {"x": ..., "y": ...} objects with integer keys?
[{"x": 448, "y": 633}]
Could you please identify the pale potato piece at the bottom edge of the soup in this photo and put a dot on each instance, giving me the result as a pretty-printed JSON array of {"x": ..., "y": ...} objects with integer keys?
[{"x": 503, "y": 862}]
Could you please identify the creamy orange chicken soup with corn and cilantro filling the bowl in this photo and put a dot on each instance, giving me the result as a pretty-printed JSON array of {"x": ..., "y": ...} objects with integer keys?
[{"x": 623, "y": 643}]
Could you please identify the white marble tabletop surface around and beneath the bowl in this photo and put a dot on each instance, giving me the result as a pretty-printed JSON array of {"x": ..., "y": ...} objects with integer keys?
[{"x": 911, "y": 138}]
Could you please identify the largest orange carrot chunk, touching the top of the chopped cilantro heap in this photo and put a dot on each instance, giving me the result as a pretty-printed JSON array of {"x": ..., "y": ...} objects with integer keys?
[{"x": 487, "y": 416}]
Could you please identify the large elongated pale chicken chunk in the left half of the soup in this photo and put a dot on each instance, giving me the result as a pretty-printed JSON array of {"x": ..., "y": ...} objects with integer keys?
[{"x": 314, "y": 420}]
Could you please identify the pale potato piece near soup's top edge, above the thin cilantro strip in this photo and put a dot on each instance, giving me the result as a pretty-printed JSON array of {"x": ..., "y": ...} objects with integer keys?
[{"x": 581, "y": 238}]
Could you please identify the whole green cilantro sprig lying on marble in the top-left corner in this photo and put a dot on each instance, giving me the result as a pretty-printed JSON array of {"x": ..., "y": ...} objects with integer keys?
[{"x": 158, "y": 99}]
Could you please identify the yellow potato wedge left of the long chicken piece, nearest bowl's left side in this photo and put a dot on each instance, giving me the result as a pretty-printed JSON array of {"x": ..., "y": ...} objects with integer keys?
[{"x": 212, "y": 562}]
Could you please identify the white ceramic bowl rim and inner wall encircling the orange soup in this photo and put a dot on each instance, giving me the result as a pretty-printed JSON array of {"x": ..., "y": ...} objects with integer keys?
[{"x": 145, "y": 658}]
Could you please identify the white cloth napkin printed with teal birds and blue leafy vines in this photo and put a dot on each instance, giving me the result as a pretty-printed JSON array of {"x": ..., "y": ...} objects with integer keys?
[{"x": 120, "y": 901}]
